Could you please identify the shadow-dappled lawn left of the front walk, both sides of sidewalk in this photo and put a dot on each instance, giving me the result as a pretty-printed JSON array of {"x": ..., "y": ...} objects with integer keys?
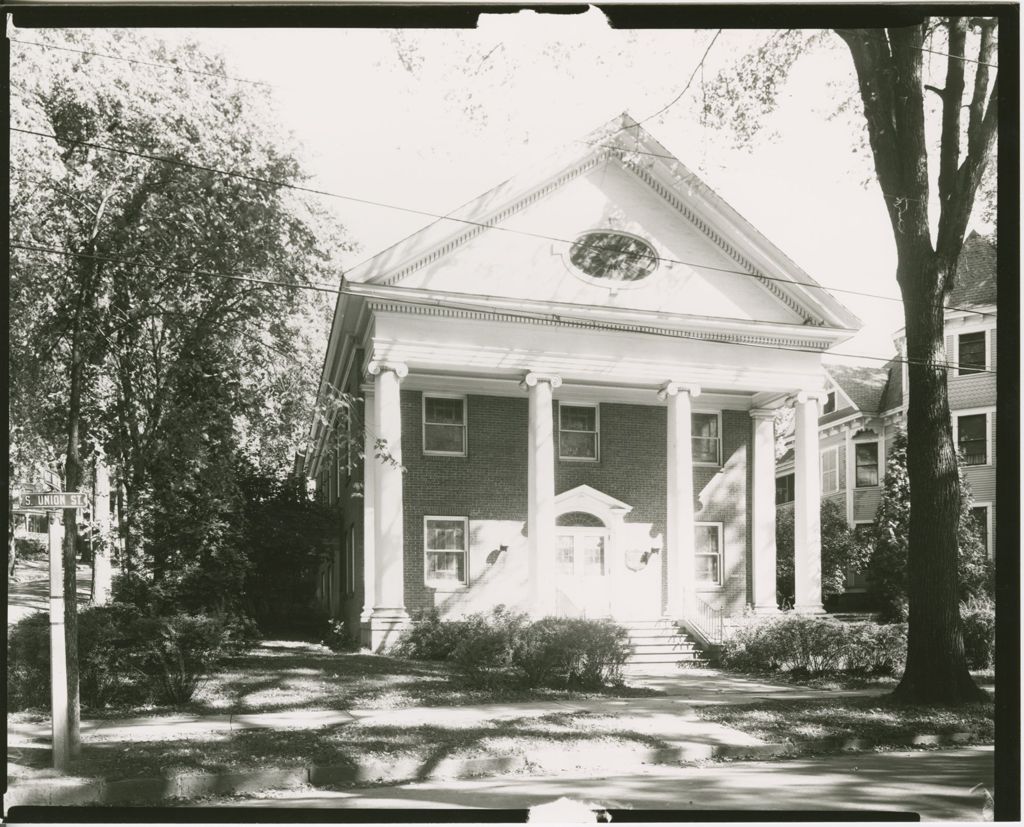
[{"x": 283, "y": 676}]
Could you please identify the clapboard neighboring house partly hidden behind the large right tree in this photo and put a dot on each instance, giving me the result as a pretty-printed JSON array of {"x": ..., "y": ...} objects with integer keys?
[{"x": 867, "y": 406}]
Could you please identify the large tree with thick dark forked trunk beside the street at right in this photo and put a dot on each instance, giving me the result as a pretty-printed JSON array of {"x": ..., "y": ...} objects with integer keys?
[{"x": 910, "y": 139}]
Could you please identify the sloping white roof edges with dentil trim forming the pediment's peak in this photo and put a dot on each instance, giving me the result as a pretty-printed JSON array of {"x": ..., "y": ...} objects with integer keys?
[{"x": 695, "y": 204}]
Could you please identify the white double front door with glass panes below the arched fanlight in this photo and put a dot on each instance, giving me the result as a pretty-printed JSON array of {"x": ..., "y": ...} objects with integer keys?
[{"x": 582, "y": 573}]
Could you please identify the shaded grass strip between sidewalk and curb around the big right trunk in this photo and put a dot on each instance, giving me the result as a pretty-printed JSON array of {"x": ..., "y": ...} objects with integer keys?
[{"x": 881, "y": 722}]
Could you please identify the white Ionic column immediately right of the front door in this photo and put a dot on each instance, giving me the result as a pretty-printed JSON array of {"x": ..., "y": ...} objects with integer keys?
[{"x": 679, "y": 524}]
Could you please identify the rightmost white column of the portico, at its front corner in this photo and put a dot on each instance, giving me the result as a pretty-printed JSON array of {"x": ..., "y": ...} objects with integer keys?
[{"x": 807, "y": 507}]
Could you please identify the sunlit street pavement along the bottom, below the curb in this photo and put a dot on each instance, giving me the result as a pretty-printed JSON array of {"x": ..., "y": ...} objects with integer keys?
[{"x": 949, "y": 786}]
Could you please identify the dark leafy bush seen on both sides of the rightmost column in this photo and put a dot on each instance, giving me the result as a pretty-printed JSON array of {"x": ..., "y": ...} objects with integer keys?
[{"x": 842, "y": 551}]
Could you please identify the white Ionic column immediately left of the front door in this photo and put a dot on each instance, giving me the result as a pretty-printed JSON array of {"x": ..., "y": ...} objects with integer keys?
[{"x": 541, "y": 493}]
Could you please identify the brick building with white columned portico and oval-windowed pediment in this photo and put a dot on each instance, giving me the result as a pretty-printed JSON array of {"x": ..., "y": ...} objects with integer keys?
[{"x": 578, "y": 384}]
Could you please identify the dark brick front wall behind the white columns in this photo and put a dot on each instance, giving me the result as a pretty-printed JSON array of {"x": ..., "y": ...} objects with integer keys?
[{"x": 489, "y": 487}]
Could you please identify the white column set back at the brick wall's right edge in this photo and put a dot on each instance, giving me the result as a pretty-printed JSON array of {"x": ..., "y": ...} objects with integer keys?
[{"x": 763, "y": 512}]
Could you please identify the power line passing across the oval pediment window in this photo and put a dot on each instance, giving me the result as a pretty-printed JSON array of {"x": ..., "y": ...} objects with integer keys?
[{"x": 481, "y": 225}]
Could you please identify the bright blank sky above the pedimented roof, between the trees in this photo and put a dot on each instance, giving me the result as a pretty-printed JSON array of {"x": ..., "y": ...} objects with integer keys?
[{"x": 429, "y": 119}]
